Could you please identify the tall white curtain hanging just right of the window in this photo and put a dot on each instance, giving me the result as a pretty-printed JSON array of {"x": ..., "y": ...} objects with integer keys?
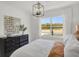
[{"x": 68, "y": 22}]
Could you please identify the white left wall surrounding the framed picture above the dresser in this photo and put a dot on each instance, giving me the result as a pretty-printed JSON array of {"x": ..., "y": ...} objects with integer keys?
[{"x": 9, "y": 10}]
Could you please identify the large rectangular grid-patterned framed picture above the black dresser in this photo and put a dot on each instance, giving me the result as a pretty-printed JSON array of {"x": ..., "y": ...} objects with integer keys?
[{"x": 11, "y": 25}]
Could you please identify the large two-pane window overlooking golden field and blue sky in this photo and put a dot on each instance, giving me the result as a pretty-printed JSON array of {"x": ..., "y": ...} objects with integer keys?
[{"x": 52, "y": 26}]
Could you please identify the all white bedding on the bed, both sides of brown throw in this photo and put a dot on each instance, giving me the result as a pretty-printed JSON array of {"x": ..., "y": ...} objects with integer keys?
[{"x": 41, "y": 48}]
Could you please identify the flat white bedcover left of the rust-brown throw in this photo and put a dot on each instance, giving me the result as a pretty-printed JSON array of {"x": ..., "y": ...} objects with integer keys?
[{"x": 38, "y": 48}]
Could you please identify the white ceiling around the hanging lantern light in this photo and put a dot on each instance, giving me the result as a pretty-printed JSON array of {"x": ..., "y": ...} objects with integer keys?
[{"x": 27, "y": 5}]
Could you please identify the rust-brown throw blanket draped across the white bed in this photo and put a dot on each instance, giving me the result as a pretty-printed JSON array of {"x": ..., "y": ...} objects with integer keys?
[{"x": 57, "y": 50}]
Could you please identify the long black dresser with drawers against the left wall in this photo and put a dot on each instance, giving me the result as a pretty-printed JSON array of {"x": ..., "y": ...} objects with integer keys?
[{"x": 10, "y": 44}]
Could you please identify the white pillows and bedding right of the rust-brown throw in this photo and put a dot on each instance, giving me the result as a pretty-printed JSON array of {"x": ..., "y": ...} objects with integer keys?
[{"x": 71, "y": 47}]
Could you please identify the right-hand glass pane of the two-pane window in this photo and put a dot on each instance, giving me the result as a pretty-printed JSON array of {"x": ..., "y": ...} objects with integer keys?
[{"x": 57, "y": 25}]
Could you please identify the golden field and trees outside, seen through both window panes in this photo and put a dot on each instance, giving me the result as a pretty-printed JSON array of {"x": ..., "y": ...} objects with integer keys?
[{"x": 57, "y": 29}]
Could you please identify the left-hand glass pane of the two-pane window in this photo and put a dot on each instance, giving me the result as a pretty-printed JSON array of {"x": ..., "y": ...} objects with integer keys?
[{"x": 45, "y": 26}]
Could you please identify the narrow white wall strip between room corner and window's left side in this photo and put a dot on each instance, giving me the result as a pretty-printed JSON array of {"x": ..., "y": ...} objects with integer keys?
[{"x": 34, "y": 26}]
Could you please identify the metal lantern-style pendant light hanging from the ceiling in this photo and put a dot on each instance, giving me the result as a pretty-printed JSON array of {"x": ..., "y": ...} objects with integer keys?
[{"x": 38, "y": 10}]
